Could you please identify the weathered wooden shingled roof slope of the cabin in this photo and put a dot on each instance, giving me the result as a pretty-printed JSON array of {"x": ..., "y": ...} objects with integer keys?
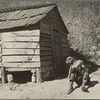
[{"x": 23, "y": 17}]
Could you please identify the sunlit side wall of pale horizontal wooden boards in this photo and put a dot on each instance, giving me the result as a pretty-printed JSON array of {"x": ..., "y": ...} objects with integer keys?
[{"x": 21, "y": 49}]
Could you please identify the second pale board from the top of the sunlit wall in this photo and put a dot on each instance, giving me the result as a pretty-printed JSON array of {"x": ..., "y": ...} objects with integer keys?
[{"x": 28, "y": 39}]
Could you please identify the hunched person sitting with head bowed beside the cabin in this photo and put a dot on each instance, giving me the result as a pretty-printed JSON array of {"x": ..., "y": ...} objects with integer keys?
[{"x": 77, "y": 73}]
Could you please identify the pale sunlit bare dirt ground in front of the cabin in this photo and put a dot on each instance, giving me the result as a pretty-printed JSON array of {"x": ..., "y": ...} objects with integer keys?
[{"x": 56, "y": 89}]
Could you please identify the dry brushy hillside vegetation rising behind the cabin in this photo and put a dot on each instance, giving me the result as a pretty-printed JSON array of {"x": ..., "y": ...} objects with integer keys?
[{"x": 82, "y": 21}]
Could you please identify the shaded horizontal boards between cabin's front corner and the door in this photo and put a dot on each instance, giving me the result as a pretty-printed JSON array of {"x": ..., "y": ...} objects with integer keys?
[{"x": 46, "y": 48}]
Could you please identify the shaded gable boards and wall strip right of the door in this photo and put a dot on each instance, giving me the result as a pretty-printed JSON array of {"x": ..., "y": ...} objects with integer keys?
[{"x": 54, "y": 19}]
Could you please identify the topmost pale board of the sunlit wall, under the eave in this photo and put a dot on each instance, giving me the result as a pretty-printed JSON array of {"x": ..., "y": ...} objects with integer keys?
[{"x": 21, "y": 33}]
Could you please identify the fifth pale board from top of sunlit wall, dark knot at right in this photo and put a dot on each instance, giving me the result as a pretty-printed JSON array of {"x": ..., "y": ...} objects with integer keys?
[{"x": 20, "y": 58}]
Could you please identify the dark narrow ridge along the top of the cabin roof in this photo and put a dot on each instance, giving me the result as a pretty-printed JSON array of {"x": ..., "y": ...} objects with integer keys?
[{"x": 26, "y": 7}]
